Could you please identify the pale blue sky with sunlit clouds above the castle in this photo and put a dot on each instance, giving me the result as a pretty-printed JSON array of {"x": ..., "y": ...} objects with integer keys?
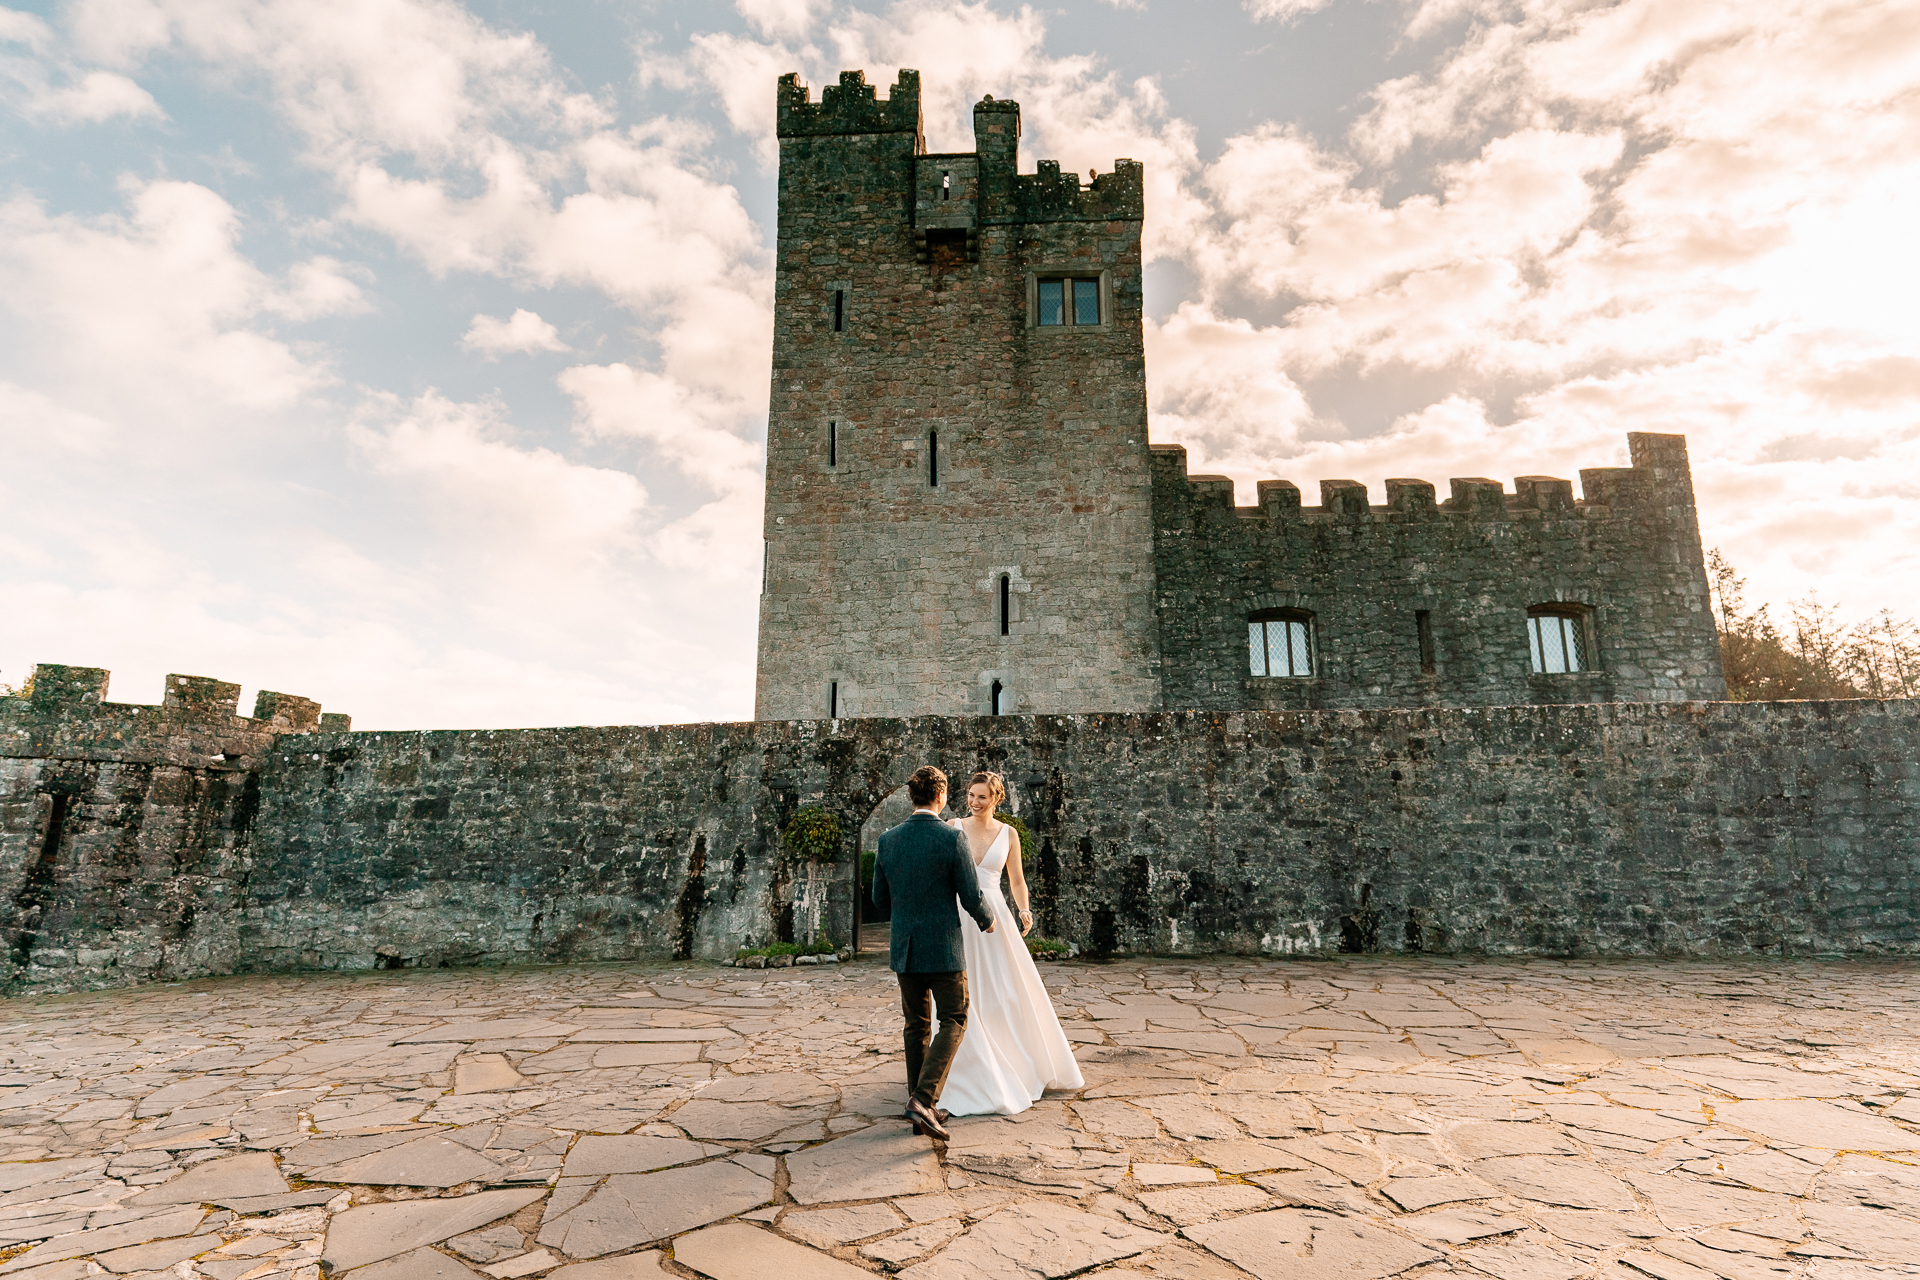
[{"x": 412, "y": 356}]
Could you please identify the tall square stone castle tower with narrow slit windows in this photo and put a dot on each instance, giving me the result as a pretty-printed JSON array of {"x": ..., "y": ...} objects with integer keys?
[{"x": 957, "y": 473}]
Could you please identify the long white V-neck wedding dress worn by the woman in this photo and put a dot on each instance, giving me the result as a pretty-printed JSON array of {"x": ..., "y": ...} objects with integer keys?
[{"x": 1013, "y": 1049}]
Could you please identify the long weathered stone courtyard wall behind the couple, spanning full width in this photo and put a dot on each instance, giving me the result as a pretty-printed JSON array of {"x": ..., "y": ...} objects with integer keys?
[{"x": 1598, "y": 830}]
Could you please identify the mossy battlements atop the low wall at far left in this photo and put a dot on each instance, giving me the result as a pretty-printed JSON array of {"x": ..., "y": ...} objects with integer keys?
[{"x": 197, "y": 724}]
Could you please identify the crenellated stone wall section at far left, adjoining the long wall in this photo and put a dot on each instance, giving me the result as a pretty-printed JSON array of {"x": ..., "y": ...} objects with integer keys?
[{"x": 126, "y": 830}]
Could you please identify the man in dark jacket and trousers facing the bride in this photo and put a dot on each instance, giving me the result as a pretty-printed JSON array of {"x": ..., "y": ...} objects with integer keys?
[{"x": 923, "y": 868}]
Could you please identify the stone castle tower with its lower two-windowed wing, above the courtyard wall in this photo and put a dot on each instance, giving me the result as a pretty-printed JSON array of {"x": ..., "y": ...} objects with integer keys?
[{"x": 965, "y": 515}]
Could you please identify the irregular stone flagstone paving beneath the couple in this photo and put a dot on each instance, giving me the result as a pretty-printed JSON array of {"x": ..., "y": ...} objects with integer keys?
[{"x": 1282, "y": 1120}]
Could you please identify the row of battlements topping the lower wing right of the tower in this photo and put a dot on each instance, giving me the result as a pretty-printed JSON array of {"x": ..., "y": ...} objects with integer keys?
[{"x": 1660, "y": 479}]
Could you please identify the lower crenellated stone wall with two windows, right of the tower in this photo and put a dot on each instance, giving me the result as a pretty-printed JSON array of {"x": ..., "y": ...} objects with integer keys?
[{"x": 1629, "y": 556}]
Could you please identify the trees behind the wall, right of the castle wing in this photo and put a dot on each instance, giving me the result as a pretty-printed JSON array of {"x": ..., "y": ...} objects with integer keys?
[{"x": 1813, "y": 655}]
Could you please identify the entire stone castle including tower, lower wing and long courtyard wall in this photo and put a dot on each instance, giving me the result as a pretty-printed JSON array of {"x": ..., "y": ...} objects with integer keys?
[{"x": 1477, "y": 726}]
